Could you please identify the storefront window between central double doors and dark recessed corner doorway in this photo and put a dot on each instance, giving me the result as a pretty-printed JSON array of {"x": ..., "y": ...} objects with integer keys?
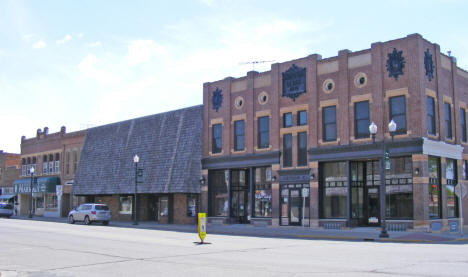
[{"x": 334, "y": 190}]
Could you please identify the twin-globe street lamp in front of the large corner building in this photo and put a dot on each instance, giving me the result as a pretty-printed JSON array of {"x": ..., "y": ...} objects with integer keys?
[{"x": 373, "y": 131}]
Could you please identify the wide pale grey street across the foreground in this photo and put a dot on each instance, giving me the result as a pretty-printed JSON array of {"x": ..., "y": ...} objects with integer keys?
[{"x": 39, "y": 248}]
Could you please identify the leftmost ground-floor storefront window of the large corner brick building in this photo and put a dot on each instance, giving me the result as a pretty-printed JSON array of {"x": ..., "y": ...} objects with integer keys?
[{"x": 217, "y": 186}]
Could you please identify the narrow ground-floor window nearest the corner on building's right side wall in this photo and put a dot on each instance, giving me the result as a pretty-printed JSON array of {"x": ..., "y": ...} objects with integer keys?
[{"x": 434, "y": 187}]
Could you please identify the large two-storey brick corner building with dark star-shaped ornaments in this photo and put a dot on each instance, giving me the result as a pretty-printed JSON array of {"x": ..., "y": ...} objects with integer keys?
[{"x": 292, "y": 146}]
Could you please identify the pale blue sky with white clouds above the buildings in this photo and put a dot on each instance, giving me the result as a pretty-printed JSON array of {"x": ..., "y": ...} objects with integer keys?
[{"x": 87, "y": 63}]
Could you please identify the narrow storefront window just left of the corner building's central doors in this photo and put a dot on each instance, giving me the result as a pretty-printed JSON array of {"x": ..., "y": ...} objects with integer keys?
[{"x": 263, "y": 192}]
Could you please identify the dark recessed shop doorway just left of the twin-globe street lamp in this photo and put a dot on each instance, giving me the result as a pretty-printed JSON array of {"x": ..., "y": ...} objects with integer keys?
[{"x": 365, "y": 189}]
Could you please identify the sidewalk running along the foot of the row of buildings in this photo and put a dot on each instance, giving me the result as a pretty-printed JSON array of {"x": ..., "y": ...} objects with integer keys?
[{"x": 354, "y": 234}]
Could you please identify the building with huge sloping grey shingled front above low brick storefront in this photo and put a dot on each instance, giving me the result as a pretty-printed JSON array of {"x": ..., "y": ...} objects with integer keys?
[{"x": 169, "y": 149}]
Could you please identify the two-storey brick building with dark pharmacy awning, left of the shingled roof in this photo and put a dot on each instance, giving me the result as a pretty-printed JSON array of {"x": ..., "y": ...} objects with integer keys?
[{"x": 54, "y": 158}]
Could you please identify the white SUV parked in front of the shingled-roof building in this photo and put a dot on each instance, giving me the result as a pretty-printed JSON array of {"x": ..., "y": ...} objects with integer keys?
[{"x": 89, "y": 213}]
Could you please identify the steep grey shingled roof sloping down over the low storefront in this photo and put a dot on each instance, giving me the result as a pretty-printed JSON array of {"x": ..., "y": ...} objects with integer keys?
[{"x": 168, "y": 145}]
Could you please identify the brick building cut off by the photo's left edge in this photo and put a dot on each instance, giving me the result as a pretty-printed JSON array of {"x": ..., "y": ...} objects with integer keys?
[{"x": 9, "y": 171}]
